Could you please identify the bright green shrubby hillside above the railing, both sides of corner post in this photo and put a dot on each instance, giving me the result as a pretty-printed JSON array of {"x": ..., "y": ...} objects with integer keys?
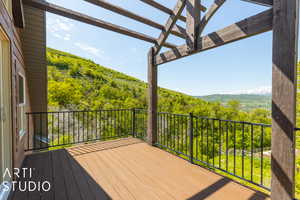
[{"x": 77, "y": 83}]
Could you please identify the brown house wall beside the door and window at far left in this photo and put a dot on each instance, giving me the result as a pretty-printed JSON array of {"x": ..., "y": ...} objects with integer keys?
[{"x": 16, "y": 65}]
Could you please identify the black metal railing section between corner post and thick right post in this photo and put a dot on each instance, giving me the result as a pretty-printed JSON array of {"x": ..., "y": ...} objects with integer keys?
[{"x": 241, "y": 149}]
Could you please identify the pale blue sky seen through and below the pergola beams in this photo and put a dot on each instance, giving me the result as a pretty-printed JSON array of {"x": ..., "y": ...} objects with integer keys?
[{"x": 243, "y": 66}]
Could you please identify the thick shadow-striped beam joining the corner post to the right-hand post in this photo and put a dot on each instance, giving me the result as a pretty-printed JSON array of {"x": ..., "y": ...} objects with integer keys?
[{"x": 248, "y": 27}]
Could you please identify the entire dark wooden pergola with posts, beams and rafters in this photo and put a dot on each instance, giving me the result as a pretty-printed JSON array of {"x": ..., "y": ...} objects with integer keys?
[{"x": 282, "y": 18}]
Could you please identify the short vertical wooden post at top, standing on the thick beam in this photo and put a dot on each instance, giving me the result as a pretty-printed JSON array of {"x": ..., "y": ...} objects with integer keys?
[{"x": 192, "y": 23}]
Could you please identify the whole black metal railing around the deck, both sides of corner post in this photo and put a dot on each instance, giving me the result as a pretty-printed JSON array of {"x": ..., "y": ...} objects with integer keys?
[{"x": 240, "y": 149}]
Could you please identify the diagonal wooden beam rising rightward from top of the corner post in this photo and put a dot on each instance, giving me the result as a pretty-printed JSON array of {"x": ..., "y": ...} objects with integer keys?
[{"x": 169, "y": 25}]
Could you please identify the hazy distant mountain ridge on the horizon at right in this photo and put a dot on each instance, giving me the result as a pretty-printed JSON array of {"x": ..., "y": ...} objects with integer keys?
[{"x": 248, "y": 101}]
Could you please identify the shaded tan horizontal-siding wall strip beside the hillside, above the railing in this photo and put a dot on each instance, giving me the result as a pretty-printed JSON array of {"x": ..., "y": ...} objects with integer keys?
[{"x": 34, "y": 48}]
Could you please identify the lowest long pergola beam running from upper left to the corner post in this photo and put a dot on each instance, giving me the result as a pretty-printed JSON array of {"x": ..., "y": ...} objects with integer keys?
[{"x": 43, "y": 5}]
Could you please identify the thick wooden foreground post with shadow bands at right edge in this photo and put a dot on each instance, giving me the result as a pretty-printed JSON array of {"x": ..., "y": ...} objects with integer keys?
[{"x": 285, "y": 39}]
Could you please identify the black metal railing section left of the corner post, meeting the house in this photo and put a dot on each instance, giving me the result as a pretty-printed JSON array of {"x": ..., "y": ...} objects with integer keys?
[{"x": 53, "y": 129}]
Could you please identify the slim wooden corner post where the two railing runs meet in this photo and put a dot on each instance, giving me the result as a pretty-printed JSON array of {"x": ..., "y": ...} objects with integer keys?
[{"x": 152, "y": 107}]
